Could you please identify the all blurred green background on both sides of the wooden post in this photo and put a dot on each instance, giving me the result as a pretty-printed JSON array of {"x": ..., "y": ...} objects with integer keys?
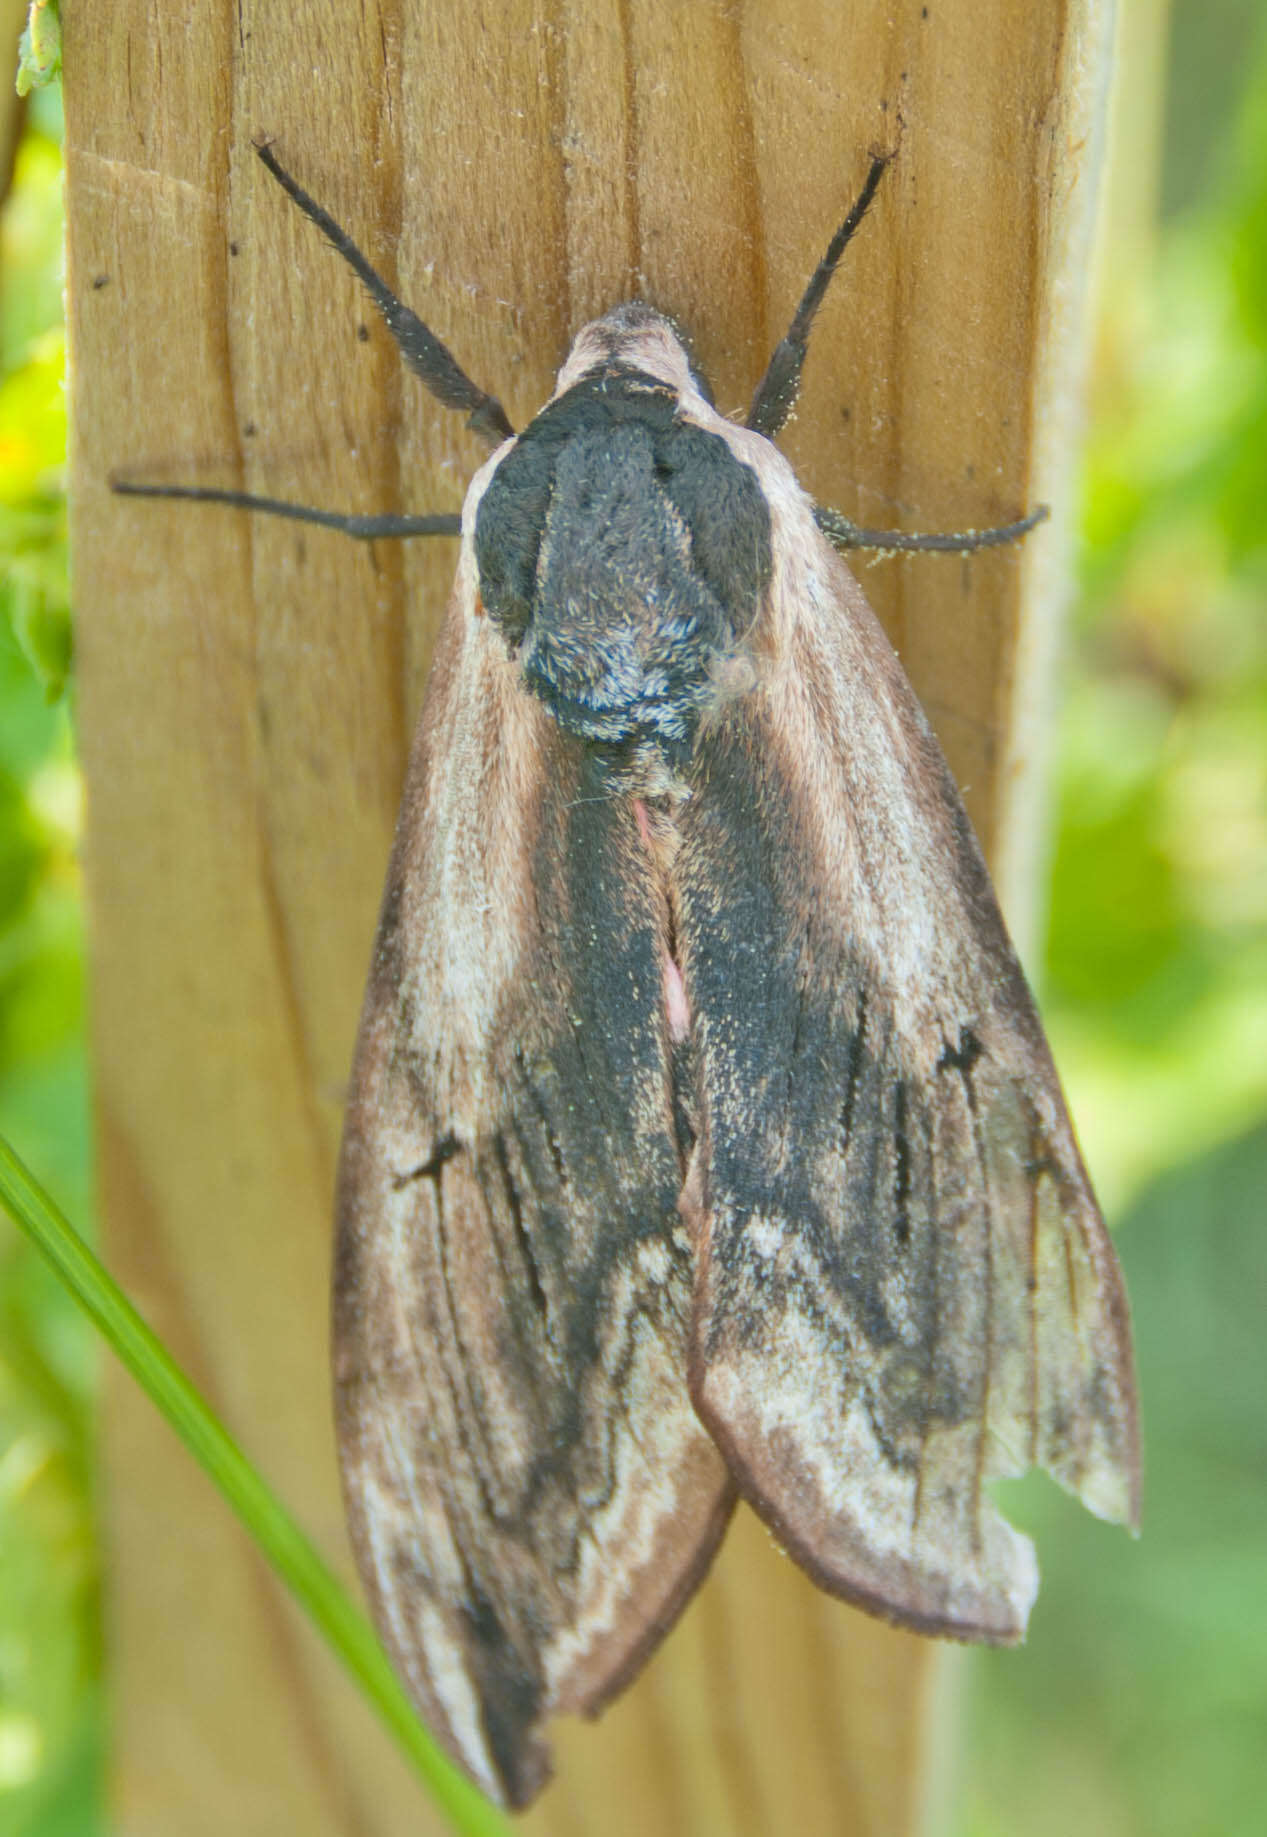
[{"x": 1139, "y": 1707}]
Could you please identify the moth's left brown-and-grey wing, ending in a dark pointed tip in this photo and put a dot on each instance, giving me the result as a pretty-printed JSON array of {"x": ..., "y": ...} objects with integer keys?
[{"x": 530, "y": 1489}]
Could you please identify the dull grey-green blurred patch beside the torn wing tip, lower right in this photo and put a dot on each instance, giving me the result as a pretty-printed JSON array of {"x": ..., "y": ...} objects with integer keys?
[{"x": 1138, "y": 1707}]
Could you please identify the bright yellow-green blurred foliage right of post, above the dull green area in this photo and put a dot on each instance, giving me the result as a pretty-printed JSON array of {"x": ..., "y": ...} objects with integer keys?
[{"x": 1158, "y": 965}]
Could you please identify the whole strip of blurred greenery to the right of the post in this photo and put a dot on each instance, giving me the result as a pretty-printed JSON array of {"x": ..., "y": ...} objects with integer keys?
[{"x": 1139, "y": 1706}]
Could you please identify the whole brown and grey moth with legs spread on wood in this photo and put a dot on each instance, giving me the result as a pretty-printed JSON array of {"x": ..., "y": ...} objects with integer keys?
[{"x": 702, "y": 1136}]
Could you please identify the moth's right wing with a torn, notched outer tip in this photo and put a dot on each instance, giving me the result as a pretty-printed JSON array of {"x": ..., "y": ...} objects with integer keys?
[{"x": 904, "y": 1285}]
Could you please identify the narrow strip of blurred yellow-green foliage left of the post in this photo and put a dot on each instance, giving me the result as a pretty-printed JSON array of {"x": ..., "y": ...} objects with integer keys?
[{"x": 49, "y": 1573}]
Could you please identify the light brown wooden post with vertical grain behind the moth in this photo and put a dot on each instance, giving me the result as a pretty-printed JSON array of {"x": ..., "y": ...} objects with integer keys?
[{"x": 247, "y": 693}]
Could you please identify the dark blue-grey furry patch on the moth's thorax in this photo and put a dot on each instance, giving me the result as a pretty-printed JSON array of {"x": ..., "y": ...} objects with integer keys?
[{"x": 622, "y": 550}]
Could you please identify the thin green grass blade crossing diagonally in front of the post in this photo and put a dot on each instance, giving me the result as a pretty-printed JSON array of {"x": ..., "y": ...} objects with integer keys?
[{"x": 280, "y": 1538}]
